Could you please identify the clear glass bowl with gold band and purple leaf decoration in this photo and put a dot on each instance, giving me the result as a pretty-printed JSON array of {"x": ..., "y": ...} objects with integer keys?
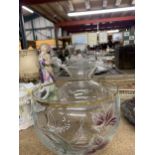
[{"x": 78, "y": 118}]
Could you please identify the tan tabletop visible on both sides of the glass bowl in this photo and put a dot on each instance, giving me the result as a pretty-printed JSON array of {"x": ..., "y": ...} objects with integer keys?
[{"x": 123, "y": 142}]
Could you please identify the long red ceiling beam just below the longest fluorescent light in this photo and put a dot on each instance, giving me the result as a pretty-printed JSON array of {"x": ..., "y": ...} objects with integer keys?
[{"x": 94, "y": 21}]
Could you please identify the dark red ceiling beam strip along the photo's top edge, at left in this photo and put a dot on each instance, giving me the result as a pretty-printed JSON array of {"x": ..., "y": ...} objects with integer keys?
[{"x": 34, "y": 2}]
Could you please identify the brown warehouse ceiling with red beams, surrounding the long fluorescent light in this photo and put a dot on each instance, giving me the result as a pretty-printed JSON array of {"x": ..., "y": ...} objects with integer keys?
[{"x": 57, "y": 10}]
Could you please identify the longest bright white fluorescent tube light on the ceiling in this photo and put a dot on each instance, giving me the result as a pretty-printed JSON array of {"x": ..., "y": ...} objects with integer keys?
[{"x": 94, "y": 12}]
